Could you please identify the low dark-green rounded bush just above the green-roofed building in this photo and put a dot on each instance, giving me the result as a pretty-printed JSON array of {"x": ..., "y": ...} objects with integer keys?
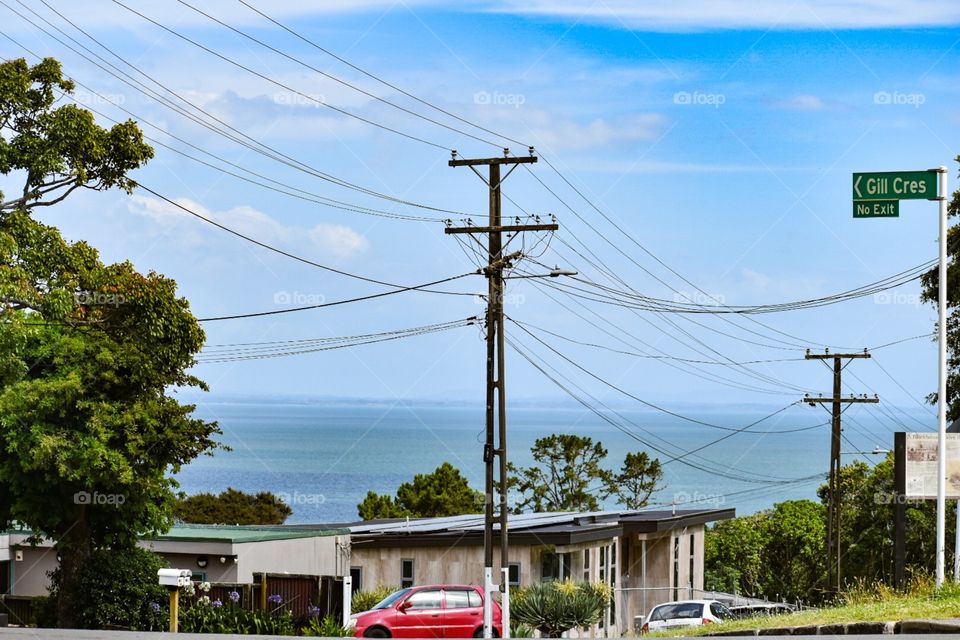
[{"x": 232, "y": 507}]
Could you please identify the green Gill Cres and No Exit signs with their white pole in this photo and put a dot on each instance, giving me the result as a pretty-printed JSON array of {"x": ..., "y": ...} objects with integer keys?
[{"x": 874, "y": 195}]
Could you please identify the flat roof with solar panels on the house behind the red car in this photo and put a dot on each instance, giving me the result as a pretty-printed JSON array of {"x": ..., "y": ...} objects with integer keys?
[{"x": 528, "y": 528}]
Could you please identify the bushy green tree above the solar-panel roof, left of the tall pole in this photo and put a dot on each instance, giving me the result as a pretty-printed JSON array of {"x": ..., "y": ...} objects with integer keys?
[{"x": 445, "y": 492}]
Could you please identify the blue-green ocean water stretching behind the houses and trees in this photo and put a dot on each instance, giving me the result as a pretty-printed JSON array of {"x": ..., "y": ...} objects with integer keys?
[{"x": 322, "y": 458}]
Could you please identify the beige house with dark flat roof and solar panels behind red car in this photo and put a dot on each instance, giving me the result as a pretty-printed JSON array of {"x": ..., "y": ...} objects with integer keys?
[{"x": 647, "y": 557}]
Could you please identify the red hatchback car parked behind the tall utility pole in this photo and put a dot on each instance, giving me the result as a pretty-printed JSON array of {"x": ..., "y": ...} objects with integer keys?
[{"x": 429, "y": 611}]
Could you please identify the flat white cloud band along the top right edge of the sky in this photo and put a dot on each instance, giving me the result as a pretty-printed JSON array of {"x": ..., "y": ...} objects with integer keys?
[{"x": 686, "y": 15}]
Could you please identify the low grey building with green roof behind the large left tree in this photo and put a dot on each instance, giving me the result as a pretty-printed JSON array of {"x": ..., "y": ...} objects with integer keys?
[{"x": 215, "y": 553}]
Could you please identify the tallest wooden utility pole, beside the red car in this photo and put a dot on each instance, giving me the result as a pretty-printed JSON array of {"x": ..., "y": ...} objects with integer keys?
[{"x": 496, "y": 263}]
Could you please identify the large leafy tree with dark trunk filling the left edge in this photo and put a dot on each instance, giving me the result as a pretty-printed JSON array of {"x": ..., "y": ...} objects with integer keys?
[{"x": 89, "y": 352}]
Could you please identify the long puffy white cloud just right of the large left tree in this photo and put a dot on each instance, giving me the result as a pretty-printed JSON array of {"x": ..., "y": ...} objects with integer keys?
[{"x": 332, "y": 240}]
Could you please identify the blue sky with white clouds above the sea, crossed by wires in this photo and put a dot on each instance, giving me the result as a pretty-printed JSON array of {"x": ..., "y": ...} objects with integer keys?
[{"x": 691, "y": 151}]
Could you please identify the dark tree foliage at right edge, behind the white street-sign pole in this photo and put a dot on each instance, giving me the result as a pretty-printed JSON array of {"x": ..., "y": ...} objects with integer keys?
[{"x": 930, "y": 292}]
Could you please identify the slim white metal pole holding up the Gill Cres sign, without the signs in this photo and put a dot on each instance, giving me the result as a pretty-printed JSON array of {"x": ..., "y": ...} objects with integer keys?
[{"x": 942, "y": 387}]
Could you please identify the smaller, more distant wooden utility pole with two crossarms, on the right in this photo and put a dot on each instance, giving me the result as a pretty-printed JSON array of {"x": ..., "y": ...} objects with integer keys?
[{"x": 836, "y": 402}]
